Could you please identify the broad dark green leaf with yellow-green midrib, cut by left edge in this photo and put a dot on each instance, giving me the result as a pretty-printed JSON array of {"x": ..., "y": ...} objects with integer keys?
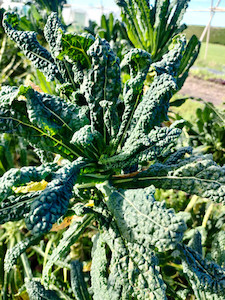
[{"x": 46, "y": 122}]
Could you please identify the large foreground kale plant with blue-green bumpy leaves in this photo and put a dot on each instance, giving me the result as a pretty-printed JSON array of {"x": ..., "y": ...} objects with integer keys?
[{"x": 116, "y": 152}]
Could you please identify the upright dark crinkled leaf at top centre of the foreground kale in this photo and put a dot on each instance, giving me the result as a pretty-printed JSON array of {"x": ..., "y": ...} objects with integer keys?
[{"x": 101, "y": 82}]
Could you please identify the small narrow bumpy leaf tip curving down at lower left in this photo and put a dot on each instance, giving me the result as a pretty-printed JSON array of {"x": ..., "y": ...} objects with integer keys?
[{"x": 14, "y": 253}]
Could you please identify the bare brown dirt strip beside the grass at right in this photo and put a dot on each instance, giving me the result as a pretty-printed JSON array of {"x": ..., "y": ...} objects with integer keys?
[{"x": 208, "y": 91}]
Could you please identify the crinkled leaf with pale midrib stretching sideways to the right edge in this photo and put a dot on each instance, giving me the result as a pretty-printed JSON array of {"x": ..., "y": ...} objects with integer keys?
[{"x": 196, "y": 175}]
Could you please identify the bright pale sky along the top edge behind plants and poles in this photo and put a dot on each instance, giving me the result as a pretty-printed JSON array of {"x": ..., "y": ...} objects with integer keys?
[{"x": 190, "y": 18}]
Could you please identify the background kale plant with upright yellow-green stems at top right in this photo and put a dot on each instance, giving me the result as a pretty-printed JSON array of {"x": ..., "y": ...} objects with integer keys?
[{"x": 152, "y": 27}]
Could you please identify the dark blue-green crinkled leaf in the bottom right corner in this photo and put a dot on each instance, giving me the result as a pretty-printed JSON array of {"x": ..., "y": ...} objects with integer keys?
[{"x": 207, "y": 278}]
